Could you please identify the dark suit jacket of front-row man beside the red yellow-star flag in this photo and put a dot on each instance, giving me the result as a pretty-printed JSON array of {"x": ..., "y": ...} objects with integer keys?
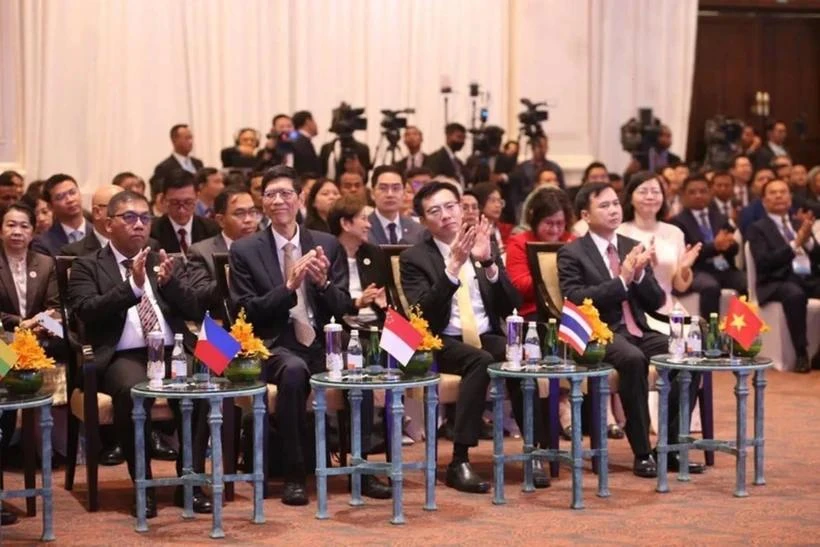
[{"x": 582, "y": 274}]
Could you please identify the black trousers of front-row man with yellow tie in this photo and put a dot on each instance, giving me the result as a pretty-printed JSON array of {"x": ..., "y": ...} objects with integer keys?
[{"x": 471, "y": 364}]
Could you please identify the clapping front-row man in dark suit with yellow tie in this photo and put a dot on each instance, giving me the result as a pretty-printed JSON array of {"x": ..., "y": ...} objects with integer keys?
[{"x": 463, "y": 292}]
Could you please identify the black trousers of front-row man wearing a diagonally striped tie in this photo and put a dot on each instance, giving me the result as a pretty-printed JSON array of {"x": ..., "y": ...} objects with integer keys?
[{"x": 127, "y": 369}]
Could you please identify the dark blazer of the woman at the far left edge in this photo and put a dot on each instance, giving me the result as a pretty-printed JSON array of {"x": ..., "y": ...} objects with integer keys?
[{"x": 41, "y": 289}]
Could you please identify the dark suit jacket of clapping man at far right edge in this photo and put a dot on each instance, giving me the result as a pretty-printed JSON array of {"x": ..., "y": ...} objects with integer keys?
[{"x": 773, "y": 256}]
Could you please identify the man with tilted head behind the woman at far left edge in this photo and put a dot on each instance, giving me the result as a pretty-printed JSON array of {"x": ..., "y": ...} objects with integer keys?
[{"x": 63, "y": 195}]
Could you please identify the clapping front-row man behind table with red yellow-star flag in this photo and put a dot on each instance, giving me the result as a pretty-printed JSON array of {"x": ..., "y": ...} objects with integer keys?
[{"x": 615, "y": 272}]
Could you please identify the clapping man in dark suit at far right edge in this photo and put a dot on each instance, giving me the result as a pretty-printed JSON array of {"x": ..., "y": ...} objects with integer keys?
[{"x": 787, "y": 259}]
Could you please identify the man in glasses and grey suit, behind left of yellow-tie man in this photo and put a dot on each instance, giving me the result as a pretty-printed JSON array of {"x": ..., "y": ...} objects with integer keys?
[{"x": 387, "y": 226}]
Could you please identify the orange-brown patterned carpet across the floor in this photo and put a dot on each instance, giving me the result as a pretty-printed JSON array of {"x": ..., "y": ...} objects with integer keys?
[{"x": 785, "y": 511}]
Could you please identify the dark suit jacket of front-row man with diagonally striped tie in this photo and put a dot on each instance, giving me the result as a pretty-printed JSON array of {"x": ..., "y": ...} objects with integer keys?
[{"x": 100, "y": 298}]
